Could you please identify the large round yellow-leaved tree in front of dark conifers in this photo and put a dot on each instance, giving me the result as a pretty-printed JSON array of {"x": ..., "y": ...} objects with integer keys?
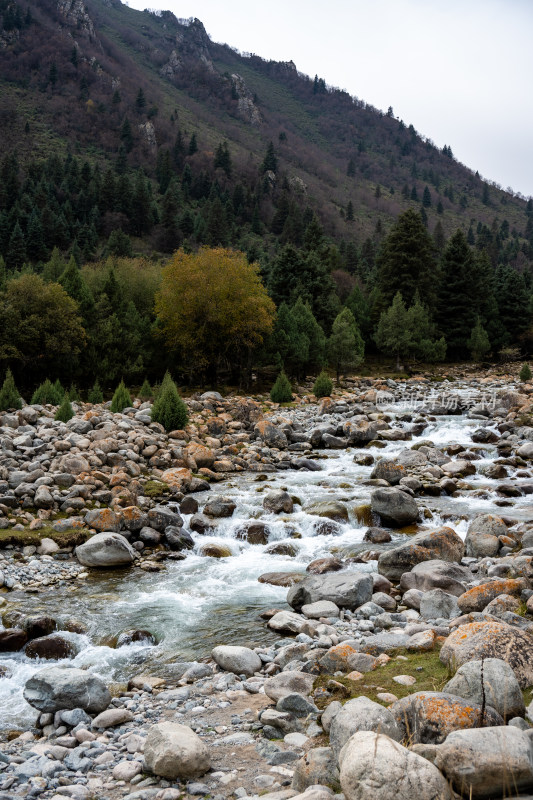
[{"x": 213, "y": 309}]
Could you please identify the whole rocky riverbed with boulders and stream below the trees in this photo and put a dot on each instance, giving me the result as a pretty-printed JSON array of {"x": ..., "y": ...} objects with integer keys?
[{"x": 332, "y": 597}]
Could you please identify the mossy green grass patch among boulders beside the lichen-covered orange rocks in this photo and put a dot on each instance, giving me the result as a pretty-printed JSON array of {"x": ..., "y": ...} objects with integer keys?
[{"x": 429, "y": 671}]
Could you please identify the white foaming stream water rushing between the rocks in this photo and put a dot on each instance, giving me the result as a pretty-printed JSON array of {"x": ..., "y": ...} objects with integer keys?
[{"x": 194, "y": 604}]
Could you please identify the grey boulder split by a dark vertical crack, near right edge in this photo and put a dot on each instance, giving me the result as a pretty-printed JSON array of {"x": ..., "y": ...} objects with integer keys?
[{"x": 491, "y": 681}]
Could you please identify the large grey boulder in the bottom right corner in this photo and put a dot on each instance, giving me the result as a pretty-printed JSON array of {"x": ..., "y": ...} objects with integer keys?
[{"x": 487, "y": 762}]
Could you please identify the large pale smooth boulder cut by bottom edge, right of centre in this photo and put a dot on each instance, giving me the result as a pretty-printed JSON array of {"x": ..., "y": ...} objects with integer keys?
[{"x": 375, "y": 767}]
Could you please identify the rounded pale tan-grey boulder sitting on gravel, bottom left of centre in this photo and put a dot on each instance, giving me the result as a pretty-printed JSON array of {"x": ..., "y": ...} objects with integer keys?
[{"x": 175, "y": 751}]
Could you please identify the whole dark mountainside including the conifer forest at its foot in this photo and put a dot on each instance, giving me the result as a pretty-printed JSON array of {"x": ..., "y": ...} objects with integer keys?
[{"x": 128, "y": 135}]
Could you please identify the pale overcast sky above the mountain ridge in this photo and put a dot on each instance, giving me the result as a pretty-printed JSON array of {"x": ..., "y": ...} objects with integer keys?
[{"x": 459, "y": 70}]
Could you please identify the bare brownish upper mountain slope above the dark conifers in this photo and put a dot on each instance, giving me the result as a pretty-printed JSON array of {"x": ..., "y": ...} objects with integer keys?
[{"x": 71, "y": 73}]
